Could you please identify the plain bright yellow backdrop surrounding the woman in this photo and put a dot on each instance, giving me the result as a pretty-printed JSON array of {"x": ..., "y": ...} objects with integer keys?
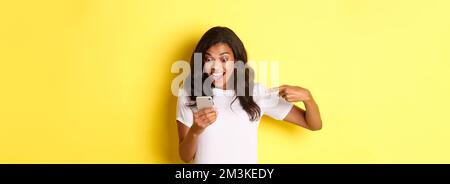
[{"x": 88, "y": 81}]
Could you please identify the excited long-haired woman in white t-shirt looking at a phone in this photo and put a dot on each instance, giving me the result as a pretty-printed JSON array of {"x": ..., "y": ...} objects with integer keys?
[{"x": 227, "y": 133}]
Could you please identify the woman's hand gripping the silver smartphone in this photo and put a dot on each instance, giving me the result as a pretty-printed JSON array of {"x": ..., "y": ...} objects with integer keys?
[{"x": 202, "y": 119}]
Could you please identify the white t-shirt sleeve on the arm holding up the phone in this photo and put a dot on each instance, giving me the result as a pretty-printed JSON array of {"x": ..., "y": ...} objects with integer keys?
[{"x": 184, "y": 112}]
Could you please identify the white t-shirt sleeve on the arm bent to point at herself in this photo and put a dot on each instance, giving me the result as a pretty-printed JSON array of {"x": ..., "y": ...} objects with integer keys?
[{"x": 271, "y": 103}]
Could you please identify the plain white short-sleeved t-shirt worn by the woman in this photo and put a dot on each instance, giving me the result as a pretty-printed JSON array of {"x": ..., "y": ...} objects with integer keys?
[{"x": 232, "y": 138}]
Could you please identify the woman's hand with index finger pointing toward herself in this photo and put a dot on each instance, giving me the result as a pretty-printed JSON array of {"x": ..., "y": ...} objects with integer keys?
[{"x": 294, "y": 93}]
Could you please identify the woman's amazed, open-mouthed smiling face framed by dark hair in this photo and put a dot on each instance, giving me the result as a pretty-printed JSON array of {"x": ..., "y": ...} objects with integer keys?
[{"x": 219, "y": 63}]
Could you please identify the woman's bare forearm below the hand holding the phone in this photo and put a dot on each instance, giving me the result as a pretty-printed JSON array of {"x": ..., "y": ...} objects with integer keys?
[{"x": 188, "y": 147}]
